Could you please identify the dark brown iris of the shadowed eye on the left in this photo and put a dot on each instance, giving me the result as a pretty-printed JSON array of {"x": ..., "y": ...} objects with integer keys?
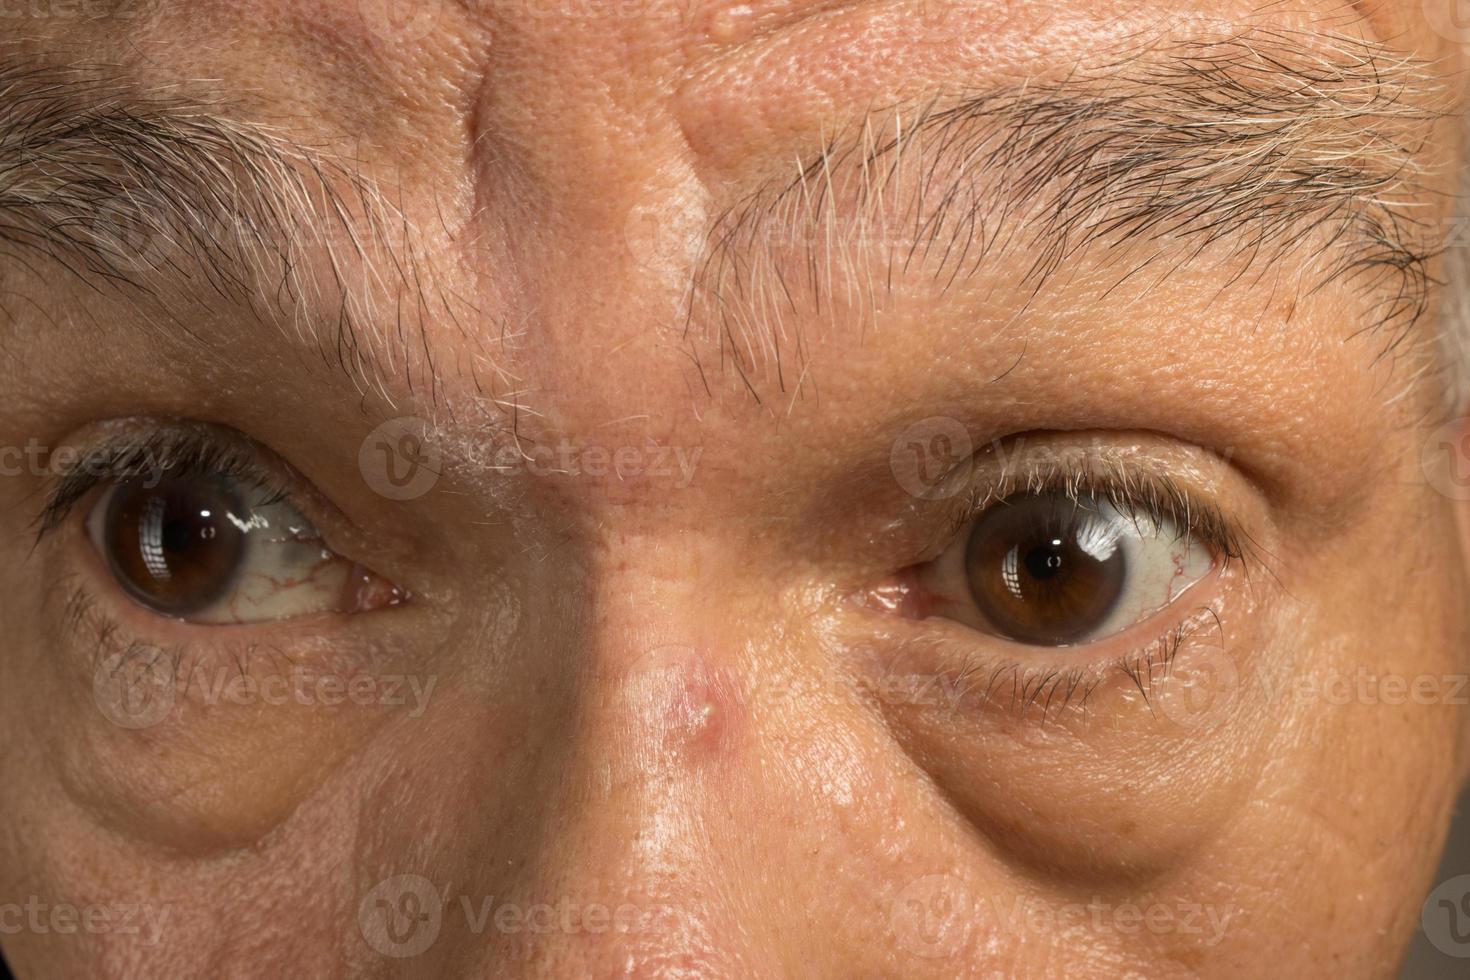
[{"x": 174, "y": 547}]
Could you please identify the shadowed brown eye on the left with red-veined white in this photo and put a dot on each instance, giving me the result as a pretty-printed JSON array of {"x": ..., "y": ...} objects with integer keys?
[{"x": 212, "y": 550}]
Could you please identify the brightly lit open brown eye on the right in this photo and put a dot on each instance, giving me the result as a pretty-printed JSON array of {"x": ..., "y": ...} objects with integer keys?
[{"x": 1056, "y": 571}]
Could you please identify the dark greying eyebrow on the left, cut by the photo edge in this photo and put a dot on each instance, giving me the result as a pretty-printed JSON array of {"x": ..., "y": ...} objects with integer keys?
[{"x": 140, "y": 195}]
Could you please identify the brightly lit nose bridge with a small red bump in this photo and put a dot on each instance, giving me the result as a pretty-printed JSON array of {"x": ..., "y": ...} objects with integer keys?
[{"x": 642, "y": 821}]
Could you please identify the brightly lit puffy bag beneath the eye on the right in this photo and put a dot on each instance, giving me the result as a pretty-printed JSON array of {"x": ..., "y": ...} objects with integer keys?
[{"x": 1109, "y": 796}]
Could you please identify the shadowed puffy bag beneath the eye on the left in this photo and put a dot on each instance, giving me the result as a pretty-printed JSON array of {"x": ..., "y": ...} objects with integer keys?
[{"x": 209, "y": 759}]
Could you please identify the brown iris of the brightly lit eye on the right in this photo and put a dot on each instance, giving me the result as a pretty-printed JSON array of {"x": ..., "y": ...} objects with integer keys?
[{"x": 1046, "y": 571}]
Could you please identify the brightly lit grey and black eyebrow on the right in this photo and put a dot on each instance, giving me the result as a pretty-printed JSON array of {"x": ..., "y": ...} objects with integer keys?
[{"x": 1268, "y": 145}]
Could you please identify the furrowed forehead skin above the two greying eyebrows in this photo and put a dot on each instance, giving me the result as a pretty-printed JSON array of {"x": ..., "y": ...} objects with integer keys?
[{"x": 495, "y": 102}]
